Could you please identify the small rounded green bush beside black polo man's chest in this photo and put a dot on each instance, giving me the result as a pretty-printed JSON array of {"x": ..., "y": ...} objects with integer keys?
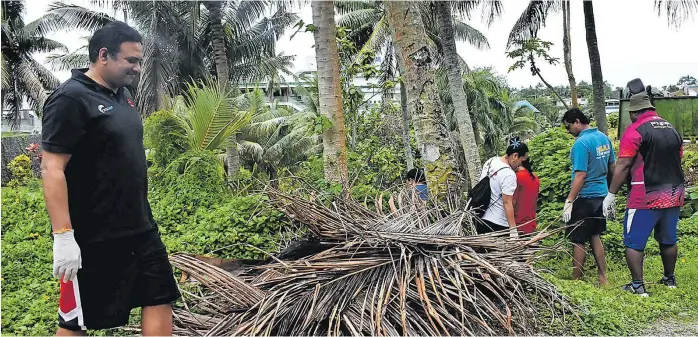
[{"x": 163, "y": 137}]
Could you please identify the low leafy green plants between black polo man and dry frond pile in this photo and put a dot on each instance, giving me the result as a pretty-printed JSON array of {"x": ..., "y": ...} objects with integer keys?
[{"x": 230, "y": 229}]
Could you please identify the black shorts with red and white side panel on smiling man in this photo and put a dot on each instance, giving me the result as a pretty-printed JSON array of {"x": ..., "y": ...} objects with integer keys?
[{"x": 117, "y": 276}]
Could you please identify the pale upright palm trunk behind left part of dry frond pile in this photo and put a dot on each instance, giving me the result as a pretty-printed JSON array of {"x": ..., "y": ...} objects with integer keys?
[{"x": 330, "y": 93}]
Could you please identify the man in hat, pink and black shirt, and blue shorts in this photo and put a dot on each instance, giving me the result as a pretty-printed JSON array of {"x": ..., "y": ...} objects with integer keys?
[{"x": 650, "y": 155}]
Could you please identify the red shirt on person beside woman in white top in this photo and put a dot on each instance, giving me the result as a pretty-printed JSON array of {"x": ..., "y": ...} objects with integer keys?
[{"x": 525, "y": 200}]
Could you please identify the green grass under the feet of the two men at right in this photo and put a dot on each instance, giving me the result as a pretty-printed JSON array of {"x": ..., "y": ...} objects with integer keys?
[{"x": 609, "y": 310}]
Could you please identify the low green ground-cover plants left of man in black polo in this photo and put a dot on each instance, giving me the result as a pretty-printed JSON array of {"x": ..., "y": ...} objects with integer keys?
[{"x": 29, "y": 291}]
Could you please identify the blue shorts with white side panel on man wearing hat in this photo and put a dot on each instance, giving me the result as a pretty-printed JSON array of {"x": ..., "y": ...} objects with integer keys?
[{"x": 639, "y": 223}]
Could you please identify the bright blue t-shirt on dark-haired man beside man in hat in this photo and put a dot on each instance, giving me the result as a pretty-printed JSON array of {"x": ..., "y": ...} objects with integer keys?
[{"x": 592, "y": 152}]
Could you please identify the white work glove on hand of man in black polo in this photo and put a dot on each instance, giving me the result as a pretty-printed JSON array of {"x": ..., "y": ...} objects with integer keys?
[{"x": 66, "y": 256}]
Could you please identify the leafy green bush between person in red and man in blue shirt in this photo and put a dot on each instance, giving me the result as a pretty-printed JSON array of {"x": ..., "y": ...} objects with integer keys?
[{"x": 550, "y": 156}]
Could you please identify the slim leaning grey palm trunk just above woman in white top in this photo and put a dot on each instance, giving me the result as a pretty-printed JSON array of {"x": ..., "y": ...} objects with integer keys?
[{"x": 455, "y": 84}]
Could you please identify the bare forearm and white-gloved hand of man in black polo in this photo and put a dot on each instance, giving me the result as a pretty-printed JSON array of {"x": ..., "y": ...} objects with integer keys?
[{"x": 66, "y": 252}]
